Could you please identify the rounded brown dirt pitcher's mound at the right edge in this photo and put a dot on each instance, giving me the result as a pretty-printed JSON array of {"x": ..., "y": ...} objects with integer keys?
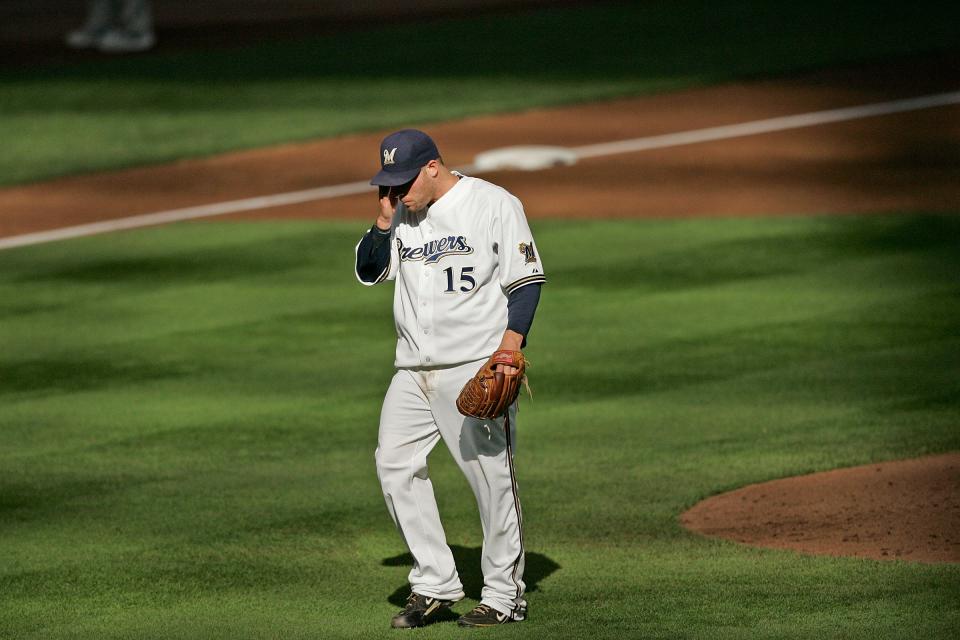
[{"x": 906, "y": 510}]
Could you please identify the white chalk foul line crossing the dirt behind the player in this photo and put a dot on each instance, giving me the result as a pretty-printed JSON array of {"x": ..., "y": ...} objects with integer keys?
[{"x": 589, "y": 151}]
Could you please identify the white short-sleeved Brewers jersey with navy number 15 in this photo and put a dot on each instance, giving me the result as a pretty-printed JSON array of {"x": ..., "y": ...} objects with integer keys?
[{"x": 455, "y": 265}]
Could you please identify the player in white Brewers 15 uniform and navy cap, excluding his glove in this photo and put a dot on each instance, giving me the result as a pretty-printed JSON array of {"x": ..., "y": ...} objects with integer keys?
[{"x": 467, "y": 283}]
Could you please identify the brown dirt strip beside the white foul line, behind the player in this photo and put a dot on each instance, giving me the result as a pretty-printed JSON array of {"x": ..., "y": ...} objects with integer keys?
[{"x": 904, "y": 162}]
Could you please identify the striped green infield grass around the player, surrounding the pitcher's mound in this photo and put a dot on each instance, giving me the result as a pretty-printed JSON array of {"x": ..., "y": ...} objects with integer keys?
[{"x": 189, "y": 416}]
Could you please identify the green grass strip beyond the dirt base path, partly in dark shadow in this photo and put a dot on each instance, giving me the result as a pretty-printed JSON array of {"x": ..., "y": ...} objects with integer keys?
[{"x": 161, "y": 107}]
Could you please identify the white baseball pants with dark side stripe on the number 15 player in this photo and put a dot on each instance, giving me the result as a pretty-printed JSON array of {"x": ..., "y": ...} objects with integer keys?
[{"x": 420, "y": 407}]
